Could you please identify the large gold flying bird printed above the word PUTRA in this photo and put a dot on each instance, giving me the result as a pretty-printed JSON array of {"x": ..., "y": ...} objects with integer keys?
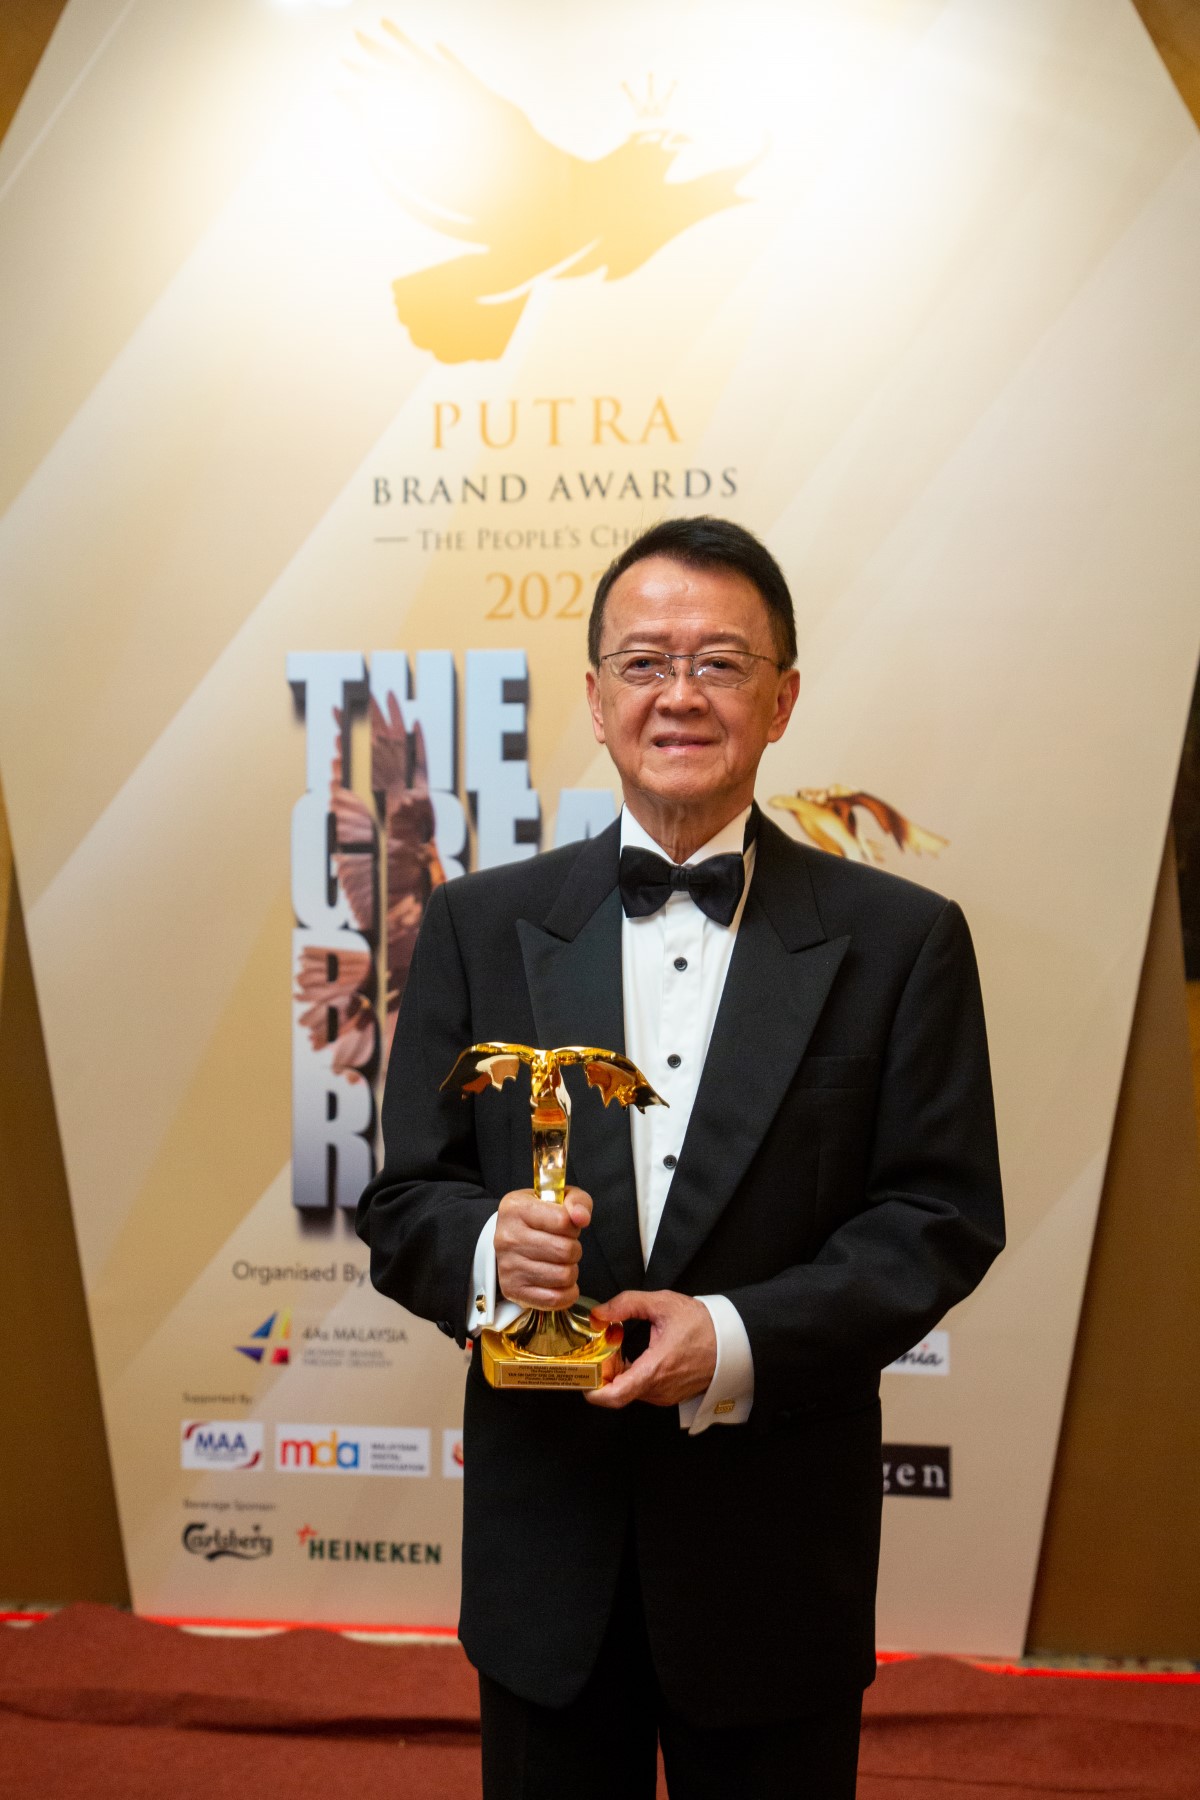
[{"x": 469, "y": 163}]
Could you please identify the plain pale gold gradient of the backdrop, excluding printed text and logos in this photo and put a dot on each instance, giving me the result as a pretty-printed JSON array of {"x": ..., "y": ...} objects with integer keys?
[{"x": 951, "y": 350}]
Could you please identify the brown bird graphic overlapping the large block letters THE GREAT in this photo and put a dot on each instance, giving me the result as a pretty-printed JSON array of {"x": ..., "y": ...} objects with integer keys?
[{"x": 341, "y": 1002}]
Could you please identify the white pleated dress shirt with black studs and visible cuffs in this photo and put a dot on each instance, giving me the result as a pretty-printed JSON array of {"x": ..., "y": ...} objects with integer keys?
[{"x": 674, "y": 971}]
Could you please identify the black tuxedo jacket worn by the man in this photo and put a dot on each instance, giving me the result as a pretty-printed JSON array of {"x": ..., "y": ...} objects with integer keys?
[{"x": 839, "y": 1182}]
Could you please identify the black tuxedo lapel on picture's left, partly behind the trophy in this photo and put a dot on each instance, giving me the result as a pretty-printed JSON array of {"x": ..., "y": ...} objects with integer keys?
[{"x": 573, "y": 969}]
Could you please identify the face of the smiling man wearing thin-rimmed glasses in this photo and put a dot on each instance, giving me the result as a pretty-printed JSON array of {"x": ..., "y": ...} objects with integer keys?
[{"x": 681, "y": 744}]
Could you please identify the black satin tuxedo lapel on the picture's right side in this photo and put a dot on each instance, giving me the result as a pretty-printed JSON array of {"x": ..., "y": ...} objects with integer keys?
[{"x": 780, "y": 976}]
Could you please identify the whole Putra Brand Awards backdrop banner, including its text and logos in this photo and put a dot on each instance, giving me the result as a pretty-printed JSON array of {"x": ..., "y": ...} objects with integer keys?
[{"x": 343, "y": 346}]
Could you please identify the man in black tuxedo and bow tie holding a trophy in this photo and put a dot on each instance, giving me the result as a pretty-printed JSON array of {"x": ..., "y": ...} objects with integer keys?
[{"x": 690, "y": 1554}]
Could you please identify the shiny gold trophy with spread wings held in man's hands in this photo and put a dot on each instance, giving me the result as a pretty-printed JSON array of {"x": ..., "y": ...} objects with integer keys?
[{"x": 560, "y": 1349}]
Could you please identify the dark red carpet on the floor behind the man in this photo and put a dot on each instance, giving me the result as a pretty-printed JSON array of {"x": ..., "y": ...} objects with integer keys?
[{"x": 102, "y": 1705}]
